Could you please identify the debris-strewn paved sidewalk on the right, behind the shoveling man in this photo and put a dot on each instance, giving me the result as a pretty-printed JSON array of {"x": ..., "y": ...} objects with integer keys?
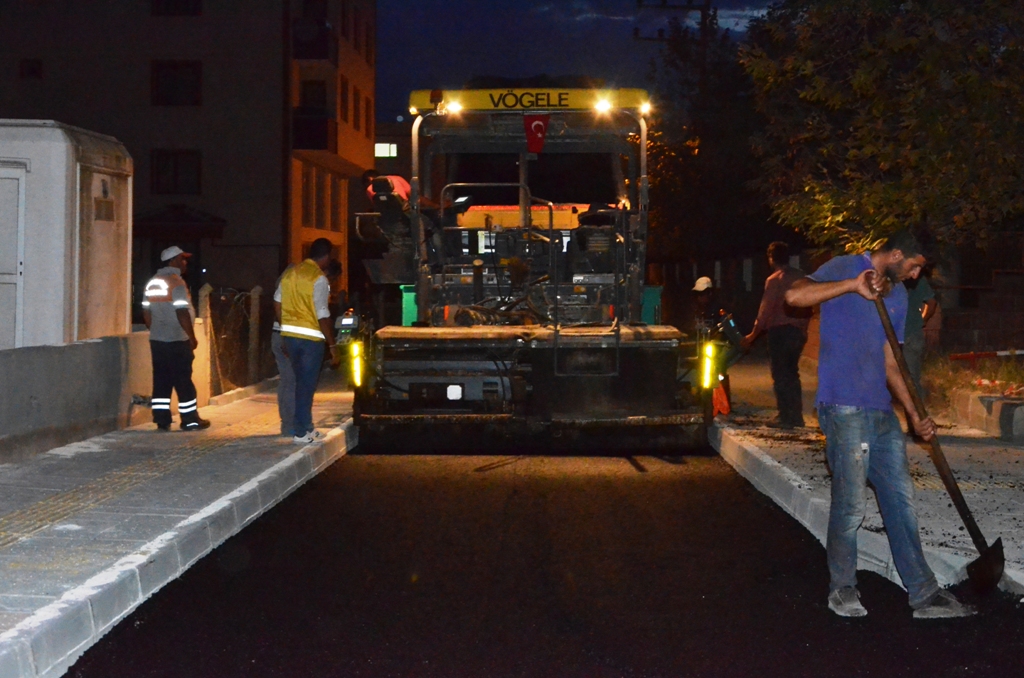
[{"x": 790, "y": 468}]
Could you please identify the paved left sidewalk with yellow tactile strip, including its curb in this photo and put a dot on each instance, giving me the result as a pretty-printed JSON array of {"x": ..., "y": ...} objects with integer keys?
[{"x": 92, "y": 530}]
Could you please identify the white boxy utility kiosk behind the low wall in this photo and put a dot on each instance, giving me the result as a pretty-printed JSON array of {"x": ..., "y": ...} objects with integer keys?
[{"x": 65, "y": 235}]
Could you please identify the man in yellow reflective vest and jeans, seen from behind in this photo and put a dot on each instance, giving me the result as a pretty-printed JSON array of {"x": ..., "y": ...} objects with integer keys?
[{"x": 301, "y": 305}]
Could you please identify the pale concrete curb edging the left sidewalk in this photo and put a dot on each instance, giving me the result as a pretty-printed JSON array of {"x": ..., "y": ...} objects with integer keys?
[{"x": 48, "y": 644}]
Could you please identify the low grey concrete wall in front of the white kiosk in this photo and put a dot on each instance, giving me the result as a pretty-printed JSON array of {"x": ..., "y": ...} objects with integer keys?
[{"x": 54, "y": 396}]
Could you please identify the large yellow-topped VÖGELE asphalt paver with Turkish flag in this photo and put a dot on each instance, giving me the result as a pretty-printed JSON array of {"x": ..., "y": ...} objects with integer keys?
[{"x": 521, "y": 256}]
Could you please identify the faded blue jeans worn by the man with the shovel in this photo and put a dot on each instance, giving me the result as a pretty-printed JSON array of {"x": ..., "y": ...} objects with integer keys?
[{"x": 865, "y": 446}]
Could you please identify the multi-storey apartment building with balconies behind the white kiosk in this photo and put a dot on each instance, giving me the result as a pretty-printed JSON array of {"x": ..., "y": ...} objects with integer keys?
[{"x": 249, "y": 121}]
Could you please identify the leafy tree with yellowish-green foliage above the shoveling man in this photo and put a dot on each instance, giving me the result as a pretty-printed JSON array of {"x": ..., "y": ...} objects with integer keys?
[{"x": 883, "y": 114}]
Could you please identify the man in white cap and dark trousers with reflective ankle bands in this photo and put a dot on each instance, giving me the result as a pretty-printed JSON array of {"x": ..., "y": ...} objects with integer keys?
[{"x": 169, "y": 315}]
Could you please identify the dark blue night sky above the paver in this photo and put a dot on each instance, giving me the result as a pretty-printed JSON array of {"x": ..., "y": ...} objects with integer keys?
[{"x": 426, "y": 45}]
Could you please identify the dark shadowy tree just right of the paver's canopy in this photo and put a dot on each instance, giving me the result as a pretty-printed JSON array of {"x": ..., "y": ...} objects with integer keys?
[{"x": 700, "y": 152}]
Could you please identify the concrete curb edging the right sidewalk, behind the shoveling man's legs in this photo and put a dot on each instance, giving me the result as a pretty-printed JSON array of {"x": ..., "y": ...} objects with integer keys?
[{"x": 794, "y": 496}]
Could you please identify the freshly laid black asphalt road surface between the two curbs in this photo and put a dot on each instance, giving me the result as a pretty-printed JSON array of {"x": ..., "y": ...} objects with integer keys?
[{"x": 535, "y": 567}]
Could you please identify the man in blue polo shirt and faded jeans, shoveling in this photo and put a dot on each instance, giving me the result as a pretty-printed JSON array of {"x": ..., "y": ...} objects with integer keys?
[{"x": 859, "y": 376}]
